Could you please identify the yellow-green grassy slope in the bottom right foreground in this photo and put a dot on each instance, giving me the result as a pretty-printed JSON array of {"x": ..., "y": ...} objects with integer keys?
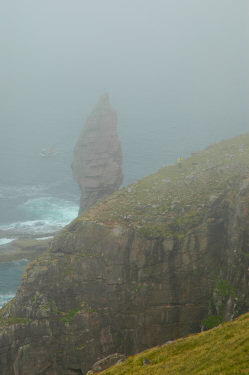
[{"x": 222, "y": 350}]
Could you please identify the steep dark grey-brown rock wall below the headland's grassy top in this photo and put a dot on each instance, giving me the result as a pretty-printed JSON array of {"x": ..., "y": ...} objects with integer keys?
[{"x": 105, "y": 289}]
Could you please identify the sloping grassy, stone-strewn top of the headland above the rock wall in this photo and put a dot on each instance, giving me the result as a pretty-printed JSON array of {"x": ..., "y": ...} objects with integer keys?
[{"x": 172, "y": 201}]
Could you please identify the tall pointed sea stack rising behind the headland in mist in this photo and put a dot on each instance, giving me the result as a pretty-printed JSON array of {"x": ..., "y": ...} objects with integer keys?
[{"x": 97, "y": 163}]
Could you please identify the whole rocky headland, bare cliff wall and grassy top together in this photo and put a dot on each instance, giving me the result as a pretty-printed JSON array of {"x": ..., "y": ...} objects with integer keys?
[{"x": 148, "y": 264}]
